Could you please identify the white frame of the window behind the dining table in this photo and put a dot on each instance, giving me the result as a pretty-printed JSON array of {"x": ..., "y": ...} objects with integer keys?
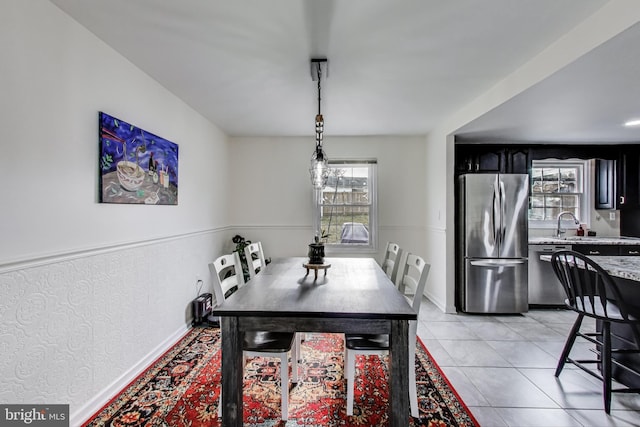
[{"x": 343, "y": 248}]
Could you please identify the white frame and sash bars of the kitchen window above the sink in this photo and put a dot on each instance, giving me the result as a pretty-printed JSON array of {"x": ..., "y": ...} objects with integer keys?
[{"x": 583, "y": 179}]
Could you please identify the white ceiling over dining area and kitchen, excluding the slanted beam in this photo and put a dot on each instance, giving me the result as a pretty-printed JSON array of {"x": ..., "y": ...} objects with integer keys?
[{"x": 395, "y": 68}]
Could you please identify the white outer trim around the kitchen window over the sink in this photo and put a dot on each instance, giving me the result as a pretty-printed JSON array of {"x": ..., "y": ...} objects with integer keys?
[{"x": 585, "y": 200}]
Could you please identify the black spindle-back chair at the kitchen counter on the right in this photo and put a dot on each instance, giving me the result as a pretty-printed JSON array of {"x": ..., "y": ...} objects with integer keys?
[{"x": 592, "y": 292}]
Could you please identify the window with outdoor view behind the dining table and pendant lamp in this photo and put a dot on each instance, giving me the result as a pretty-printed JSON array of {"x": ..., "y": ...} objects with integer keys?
[{"x": 345, "y": 209}]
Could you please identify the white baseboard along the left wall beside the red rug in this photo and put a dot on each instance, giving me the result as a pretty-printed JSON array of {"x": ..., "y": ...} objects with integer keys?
[{"x": 103, "y": 397}]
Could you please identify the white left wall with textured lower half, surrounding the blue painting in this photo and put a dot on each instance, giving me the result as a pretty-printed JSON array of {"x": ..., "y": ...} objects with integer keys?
[{"x": 90, "y": 291}]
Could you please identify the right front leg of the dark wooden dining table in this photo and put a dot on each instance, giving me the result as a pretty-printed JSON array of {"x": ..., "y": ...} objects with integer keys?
[{"x": 399, "y": 372}]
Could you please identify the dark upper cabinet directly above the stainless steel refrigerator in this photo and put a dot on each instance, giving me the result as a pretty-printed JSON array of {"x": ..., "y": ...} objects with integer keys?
[{"x": 480, "y": 158}]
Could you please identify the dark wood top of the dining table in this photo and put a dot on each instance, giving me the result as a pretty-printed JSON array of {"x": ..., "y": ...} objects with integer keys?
[{"x": 352, "y": 288}]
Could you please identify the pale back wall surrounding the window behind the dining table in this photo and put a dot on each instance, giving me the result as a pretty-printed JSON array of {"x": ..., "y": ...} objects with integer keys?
[{"x": 271, "y": 196}]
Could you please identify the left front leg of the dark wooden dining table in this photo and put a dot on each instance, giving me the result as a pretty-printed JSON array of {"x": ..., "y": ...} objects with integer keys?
[{"x": 231, "y": 372}]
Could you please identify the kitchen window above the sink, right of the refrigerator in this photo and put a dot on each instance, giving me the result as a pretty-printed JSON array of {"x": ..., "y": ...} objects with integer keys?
[{"x": 558, "y": 186}]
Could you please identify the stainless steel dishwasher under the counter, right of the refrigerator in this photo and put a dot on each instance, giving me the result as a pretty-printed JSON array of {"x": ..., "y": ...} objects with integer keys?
[{"x": 544, "y": 286}]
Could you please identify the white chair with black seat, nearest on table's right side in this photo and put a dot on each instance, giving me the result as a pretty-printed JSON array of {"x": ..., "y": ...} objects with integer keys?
[{"x": 412, "y": 277}]
